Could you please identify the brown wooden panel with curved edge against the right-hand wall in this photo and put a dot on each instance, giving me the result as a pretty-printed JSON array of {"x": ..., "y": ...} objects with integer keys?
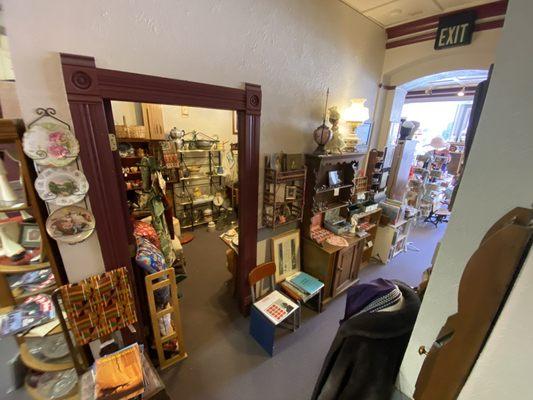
[{"x": 486, "y": 283}]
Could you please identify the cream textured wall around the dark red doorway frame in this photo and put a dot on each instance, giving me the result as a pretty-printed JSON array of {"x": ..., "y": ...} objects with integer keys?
[{"x": 293, "y": 49}]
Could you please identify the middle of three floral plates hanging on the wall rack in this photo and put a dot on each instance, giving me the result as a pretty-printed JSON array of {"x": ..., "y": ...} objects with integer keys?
[{"x": 61, "y": 186}]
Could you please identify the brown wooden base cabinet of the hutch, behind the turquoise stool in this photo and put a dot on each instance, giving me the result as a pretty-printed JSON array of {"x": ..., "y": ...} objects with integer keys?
[{"x": 337, "y": 267}]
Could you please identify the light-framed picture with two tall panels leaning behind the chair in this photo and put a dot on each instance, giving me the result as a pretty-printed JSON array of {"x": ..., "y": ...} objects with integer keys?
[{"x": 286, "y": 254}]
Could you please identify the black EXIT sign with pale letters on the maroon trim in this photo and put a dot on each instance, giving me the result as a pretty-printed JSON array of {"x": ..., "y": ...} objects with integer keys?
[{"x": 455, "y": 30}]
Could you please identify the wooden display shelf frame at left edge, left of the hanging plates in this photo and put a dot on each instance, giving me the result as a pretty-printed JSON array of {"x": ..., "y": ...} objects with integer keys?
[{"x": 34, "y": 259}]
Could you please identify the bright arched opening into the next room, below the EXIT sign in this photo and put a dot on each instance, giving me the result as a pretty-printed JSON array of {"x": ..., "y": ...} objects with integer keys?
[{"x": 424, "y": 141}]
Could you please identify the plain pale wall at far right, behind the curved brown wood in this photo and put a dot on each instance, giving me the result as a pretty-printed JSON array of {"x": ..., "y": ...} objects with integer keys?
[{"x": 497, "y": 178}]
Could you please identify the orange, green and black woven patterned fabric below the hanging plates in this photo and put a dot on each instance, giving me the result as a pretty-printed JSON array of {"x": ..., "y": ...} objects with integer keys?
[{"x": 99, "y": 305}]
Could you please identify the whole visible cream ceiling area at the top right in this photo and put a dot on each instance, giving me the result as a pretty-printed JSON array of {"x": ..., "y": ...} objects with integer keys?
[{"x": 394, "y": 12}]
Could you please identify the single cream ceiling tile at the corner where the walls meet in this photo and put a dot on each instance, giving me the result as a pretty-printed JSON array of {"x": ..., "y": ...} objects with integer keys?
[{"x": 403, "y": 11}]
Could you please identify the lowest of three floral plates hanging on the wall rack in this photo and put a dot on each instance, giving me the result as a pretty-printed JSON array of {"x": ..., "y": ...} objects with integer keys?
[{"x": 71, "y": 224}]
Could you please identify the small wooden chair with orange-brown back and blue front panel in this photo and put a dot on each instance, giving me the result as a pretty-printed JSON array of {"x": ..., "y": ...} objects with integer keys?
[{"x": 262, "y": 329}]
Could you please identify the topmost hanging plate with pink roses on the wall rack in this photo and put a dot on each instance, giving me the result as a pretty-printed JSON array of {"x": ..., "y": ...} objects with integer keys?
[{"x": 50, "y": 144}]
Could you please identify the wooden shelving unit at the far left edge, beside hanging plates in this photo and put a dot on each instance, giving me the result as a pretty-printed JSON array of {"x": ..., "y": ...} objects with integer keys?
[{"x": 10, "y": 134}]
